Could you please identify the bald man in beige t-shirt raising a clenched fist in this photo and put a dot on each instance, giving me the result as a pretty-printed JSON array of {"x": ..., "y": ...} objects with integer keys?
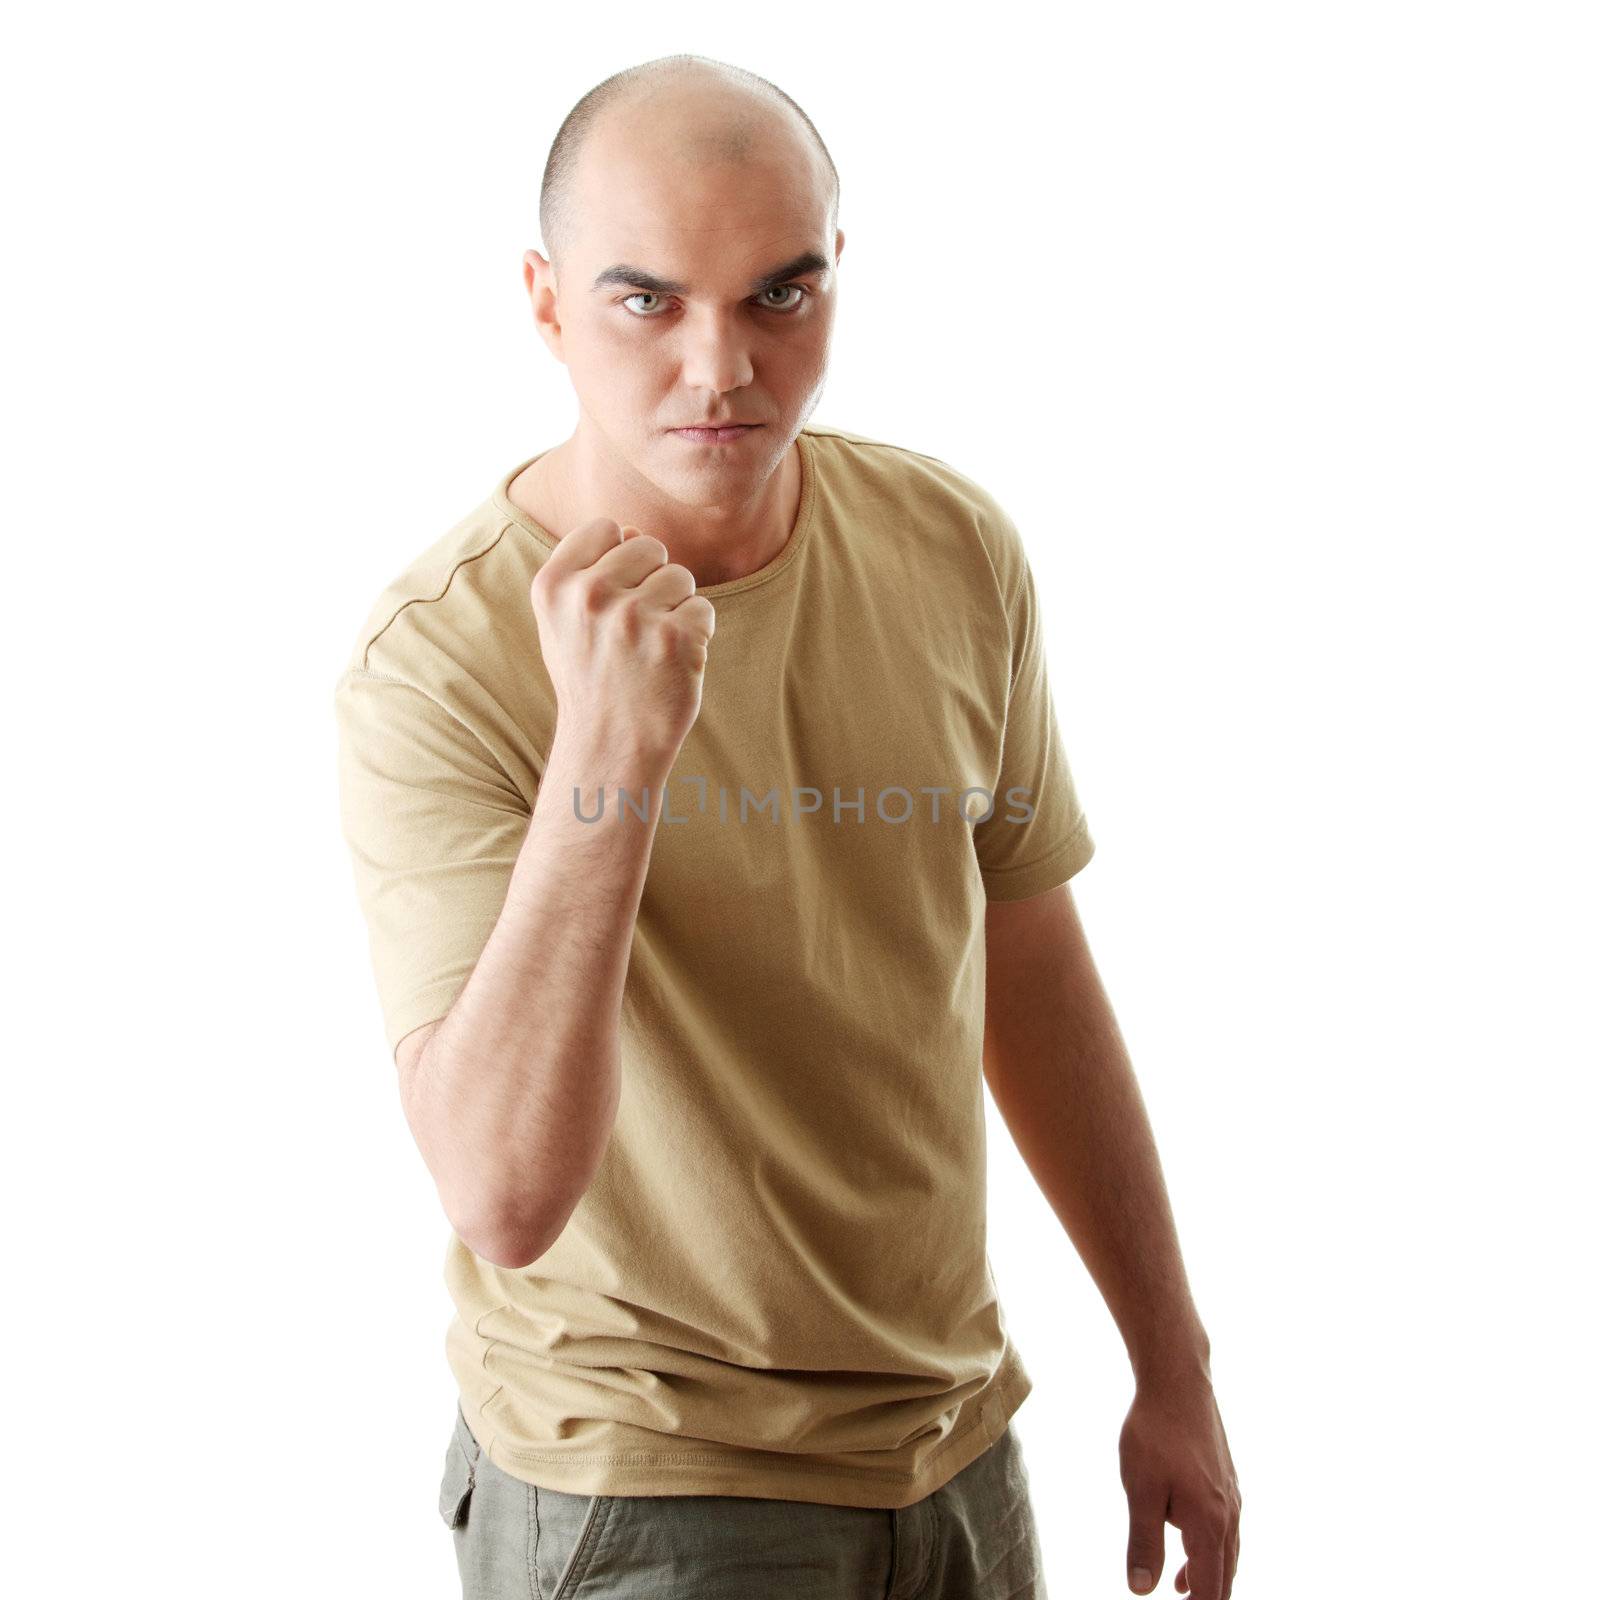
[{"x": 714, "y": 831}]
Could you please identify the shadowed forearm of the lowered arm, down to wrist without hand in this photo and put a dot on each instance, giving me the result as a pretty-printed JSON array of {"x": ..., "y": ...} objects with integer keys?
[{"x": 1062, "y": 1078}]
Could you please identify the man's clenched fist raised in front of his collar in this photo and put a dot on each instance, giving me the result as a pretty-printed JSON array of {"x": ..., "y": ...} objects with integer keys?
[{"x": 625, "y": 638}]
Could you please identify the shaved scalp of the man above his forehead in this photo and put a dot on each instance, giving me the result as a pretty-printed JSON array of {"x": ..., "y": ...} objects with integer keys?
[{"x": 697, "y": 111}]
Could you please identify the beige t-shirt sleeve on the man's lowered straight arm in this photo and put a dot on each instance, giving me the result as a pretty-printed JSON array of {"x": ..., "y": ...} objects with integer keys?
[{"x": 1038, "y": 838}]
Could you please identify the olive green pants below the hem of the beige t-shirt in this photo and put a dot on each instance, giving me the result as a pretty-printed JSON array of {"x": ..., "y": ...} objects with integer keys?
[{"x": 972, "y": 1540}]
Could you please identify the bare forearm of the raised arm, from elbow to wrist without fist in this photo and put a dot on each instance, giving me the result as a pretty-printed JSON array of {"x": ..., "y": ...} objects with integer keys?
[{"x": 518, "y": 1089}]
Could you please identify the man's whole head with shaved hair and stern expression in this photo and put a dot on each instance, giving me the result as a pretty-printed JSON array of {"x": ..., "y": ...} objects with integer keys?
[{"x": 700, "y": 180}]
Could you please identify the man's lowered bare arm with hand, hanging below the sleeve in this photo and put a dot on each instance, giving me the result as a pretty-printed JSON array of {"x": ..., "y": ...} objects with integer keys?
[{"x": 1060, "y": 1074}]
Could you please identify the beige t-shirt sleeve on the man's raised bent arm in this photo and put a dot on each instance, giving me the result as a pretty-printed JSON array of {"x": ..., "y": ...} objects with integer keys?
[{"x": 434, "y": 826}]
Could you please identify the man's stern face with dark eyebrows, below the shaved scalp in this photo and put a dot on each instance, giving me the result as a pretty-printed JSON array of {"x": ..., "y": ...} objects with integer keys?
[{"x": 662, "y": 319}]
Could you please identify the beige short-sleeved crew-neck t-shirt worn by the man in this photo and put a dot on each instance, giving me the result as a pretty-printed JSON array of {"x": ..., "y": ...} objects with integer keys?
[{"x": 778, "y": 1282}]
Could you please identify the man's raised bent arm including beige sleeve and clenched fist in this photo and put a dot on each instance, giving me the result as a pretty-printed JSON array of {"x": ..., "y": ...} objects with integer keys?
[{"x": 513, "y": 1090}]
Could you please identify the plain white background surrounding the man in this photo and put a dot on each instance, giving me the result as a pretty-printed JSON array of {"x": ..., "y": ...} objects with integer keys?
[{"x": 1276, "y": 330}]
